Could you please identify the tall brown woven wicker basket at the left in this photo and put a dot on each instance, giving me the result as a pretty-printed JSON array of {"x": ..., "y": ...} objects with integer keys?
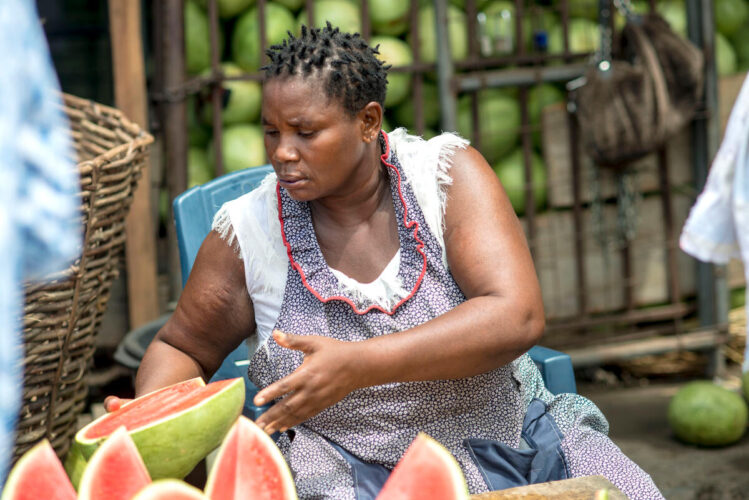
[{"x": 62, "y": 314}]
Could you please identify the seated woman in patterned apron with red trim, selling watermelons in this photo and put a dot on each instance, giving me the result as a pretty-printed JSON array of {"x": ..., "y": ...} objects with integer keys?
[{"x": 390, "y": 290}]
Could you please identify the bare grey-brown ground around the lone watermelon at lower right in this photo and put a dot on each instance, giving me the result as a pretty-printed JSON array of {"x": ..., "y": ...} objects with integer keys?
[{"x": 638, "y": 424}]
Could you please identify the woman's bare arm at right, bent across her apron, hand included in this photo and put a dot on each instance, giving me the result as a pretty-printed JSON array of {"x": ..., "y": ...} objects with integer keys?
[{"x": 502, "y": 318}]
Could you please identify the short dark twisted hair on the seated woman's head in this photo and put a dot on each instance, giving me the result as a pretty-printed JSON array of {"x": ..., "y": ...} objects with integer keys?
[{"x": 349, "y": 67}]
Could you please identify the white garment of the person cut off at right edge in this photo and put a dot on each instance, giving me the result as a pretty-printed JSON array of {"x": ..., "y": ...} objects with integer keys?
[{"x": 717, "y": 229}]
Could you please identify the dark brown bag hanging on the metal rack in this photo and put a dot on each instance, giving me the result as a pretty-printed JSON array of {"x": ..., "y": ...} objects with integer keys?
[{"x": 645, "y": 86}]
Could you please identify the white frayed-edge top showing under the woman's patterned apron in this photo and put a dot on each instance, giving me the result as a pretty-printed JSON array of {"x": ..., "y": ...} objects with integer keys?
[{"x": 250, "y": 223}]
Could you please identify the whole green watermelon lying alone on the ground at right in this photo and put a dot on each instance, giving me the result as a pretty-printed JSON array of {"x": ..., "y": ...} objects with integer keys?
[{"x": 706, "y": 414}]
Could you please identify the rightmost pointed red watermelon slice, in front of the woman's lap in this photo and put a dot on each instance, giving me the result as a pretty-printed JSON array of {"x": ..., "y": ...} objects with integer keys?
[{"x": 426, "y": 471}]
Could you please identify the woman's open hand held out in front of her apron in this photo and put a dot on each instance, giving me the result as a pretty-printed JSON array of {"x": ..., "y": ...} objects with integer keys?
[{"x": 327, "y": 374}]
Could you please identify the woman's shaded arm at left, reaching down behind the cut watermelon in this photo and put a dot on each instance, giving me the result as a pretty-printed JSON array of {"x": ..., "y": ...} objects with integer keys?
[{"x": 213, "y": 315}]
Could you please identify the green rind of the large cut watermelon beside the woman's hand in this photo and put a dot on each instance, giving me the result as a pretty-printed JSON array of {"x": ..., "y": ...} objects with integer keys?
[{"x": 171, "y": 447}]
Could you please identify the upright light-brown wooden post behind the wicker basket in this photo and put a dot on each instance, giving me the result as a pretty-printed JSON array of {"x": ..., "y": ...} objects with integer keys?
[{"x": 130, "y": 97}]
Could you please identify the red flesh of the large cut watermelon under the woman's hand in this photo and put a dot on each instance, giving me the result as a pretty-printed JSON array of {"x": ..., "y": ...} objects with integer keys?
[{"x": 152, "y": 407}]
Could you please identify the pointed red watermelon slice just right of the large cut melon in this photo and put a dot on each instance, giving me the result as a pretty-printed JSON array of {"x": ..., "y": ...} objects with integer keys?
[{"x": 249, "y": 465}]
